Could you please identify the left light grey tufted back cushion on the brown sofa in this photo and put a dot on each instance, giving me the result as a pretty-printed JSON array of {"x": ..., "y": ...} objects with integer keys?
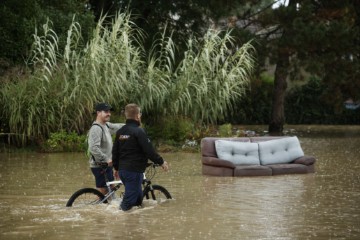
[{"x": 239, "y": 153}]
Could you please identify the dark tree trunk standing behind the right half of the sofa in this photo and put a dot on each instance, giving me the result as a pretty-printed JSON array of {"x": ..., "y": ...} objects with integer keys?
[{"x": 277, "y": 120}]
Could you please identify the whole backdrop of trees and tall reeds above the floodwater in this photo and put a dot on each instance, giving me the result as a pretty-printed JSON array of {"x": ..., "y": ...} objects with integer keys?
[{"x": 173, "y": 66}]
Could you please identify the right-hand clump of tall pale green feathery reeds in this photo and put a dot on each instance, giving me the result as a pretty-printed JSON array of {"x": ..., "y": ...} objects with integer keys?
[{"x": 211, "y": 76}]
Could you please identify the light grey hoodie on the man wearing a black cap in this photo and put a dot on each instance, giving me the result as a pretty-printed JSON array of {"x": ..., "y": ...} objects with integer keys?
[{"x": 100, "y": 142}]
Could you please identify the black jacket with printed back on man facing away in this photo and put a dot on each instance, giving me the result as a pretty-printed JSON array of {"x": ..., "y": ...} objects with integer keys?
[{"x": 132, "y": 148}]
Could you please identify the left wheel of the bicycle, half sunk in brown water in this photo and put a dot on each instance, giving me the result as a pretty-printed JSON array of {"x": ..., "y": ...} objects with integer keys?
[{"x": 85, "y": 196}]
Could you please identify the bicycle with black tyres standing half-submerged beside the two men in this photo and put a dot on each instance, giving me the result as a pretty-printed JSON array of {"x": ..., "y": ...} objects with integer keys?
[{"x": 92, "y": 196}]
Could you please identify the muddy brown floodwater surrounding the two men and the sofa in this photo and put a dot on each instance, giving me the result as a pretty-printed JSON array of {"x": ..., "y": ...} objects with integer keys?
[{"x": 34, "y": 189}]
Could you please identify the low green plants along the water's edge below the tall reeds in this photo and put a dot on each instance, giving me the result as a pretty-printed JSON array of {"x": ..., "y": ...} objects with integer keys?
[{"x": 175, "y": 137}]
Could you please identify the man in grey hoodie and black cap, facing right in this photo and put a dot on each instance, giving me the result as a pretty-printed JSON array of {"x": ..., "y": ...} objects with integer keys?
[{"x": 100, "y": 145}]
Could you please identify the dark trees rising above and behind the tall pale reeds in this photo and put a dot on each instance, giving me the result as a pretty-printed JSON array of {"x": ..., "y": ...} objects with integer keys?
[{"x": 295, "y": 41}]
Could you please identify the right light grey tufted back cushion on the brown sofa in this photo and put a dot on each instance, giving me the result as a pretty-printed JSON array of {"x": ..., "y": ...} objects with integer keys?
[{"x": 278, "y": 151}]
